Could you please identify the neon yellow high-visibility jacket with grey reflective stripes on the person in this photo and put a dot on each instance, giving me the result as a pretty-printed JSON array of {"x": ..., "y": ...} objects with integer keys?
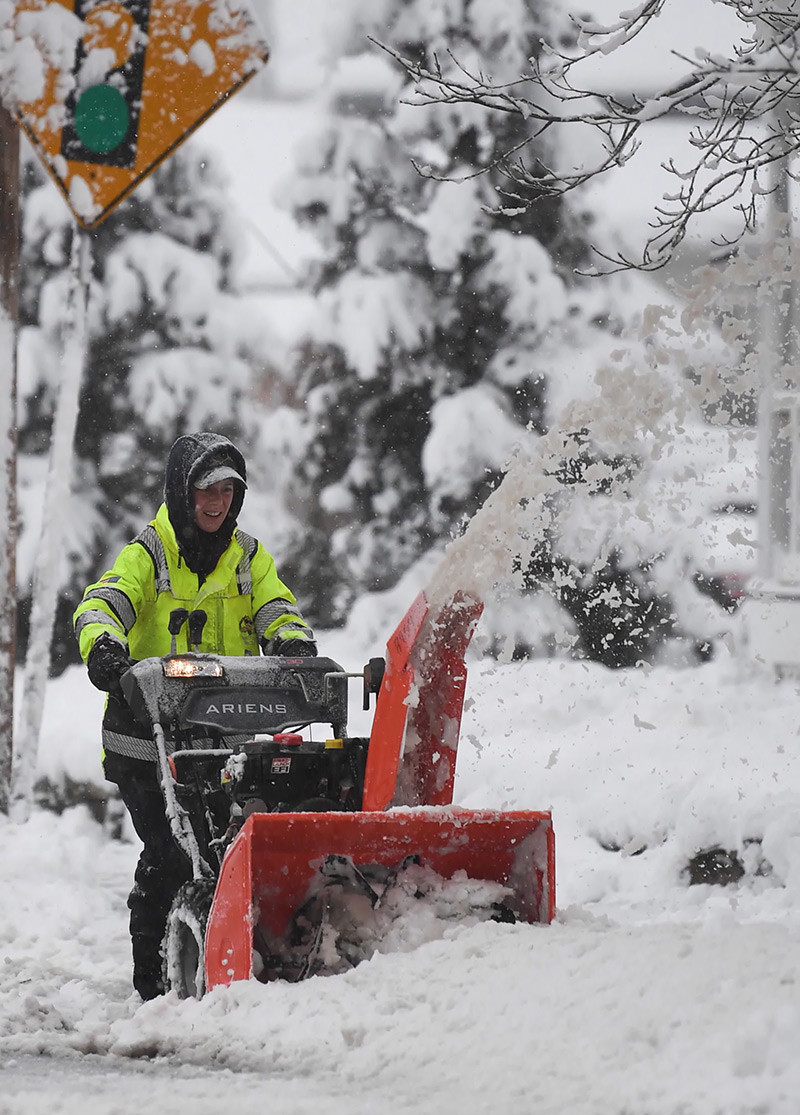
[{"x": 244, "y": 598}]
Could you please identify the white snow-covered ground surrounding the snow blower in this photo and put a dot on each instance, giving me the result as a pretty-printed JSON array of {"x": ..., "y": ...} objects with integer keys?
[{"x": 648, "y": 995}]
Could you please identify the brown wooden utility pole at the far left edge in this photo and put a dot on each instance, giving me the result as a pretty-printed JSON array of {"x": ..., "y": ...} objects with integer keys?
[{"x": 9, "y": 321}]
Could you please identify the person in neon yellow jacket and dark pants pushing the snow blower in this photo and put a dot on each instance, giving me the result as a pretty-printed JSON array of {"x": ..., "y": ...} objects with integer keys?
[{"x": 191, "y": 556}]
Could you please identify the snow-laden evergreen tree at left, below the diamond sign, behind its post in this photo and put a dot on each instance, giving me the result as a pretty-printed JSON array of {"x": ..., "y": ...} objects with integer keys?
[{"x": 171, "y": 350}]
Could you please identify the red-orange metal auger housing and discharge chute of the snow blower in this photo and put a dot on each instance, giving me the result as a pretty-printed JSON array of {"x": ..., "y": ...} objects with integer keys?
[{"x": 269, "y": 867}]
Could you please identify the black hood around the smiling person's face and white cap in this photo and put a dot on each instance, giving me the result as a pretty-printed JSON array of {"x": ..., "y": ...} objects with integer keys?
[{"x": 189, "y": 459}]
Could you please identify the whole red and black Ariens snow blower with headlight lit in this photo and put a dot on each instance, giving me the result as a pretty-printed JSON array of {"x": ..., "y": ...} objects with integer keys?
[{"x": 306, "y": 854}]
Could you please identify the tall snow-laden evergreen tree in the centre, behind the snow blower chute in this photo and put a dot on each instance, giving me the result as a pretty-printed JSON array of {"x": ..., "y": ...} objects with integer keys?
[{"x": 430, "y": 307}]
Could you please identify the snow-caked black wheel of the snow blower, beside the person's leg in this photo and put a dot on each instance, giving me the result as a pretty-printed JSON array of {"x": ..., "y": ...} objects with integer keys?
[{"x": 185, "y": 941}]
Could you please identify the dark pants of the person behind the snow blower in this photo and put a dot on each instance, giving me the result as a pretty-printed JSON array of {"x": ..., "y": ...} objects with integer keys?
[{"x": 162, "y": 867}]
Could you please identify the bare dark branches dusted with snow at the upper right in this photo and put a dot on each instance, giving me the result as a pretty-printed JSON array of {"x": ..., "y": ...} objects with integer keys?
[{"x": 745, "y": 111}]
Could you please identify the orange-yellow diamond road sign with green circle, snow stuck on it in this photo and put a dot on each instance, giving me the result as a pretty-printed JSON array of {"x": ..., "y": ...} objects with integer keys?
[{"x": 144, "y": 75}]
